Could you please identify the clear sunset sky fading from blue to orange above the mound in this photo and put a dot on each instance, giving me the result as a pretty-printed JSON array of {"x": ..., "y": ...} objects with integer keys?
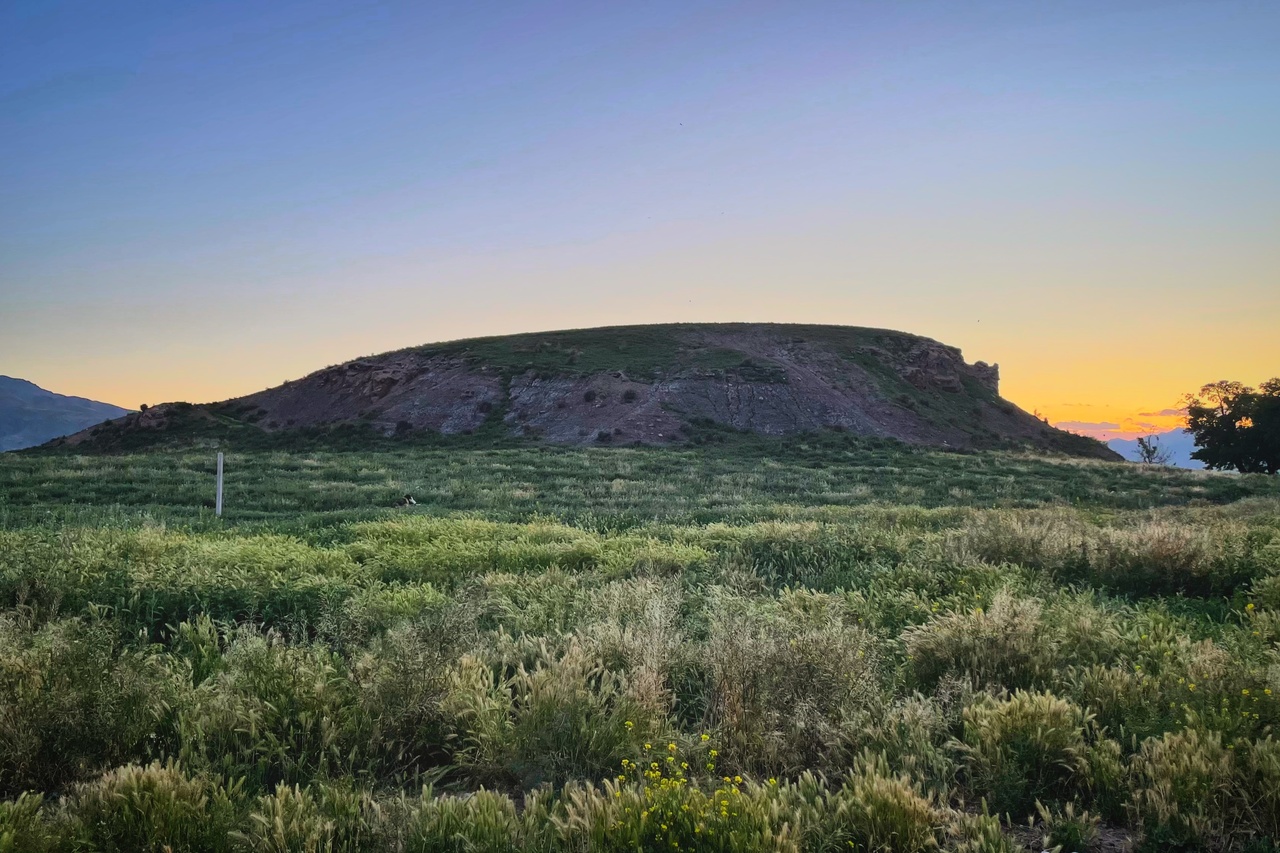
[{"x": 200, "y": 200}]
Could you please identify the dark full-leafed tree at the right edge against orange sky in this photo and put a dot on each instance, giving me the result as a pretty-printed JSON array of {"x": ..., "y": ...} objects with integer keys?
[{"x": 1237, "y": 427}]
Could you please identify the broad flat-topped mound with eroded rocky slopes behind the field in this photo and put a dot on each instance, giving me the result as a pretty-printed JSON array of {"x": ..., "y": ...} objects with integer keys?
[{"x": 648, "y": 384}]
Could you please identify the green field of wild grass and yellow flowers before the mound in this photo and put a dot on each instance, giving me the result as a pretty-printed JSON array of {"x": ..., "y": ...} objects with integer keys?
[{"x": 828, "y": 645}]
